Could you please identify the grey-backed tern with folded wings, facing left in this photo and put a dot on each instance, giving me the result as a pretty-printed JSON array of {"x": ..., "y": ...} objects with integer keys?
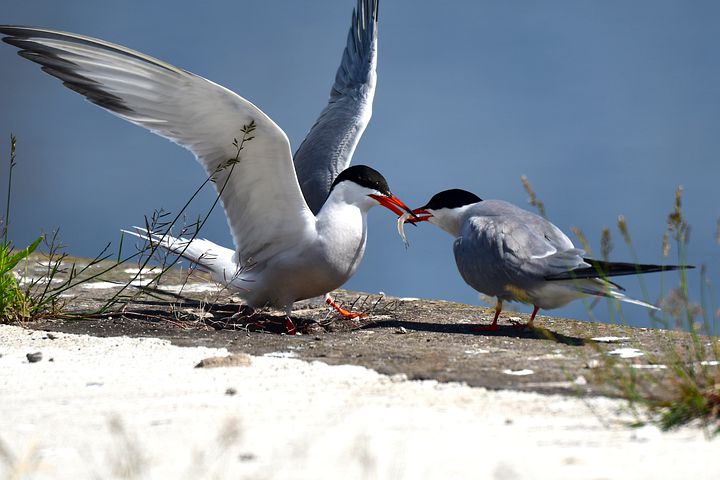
[{"x": 512, "y": 254}]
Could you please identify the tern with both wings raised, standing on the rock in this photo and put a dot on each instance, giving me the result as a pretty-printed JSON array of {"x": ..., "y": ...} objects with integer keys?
[{"x": 299, "y": 227}]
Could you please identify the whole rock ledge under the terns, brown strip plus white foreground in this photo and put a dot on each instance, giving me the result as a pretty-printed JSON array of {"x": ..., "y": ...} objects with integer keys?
[{"x": 122, "y": 397}]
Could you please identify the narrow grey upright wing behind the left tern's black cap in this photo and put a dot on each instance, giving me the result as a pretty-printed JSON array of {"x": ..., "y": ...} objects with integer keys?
[{"x": 328, "y": 148}]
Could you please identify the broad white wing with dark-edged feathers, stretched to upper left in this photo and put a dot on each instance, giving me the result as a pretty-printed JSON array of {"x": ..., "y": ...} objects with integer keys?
[{"x": 263, "y": 203}]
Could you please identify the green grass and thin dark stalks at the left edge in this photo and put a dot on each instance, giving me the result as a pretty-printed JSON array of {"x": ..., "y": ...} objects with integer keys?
[{"x": 25, "y": 298}]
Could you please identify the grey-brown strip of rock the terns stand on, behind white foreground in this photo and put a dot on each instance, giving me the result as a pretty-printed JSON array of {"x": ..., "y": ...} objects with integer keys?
[{"x": 421, "y": 339}]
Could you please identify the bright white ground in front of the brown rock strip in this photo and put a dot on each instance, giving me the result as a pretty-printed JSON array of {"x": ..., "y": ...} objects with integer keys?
[{"x": 137, "y": 408}]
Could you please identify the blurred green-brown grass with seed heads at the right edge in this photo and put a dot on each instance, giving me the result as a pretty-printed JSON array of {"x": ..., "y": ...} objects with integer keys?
[{"x": 687, "y": 389}]
